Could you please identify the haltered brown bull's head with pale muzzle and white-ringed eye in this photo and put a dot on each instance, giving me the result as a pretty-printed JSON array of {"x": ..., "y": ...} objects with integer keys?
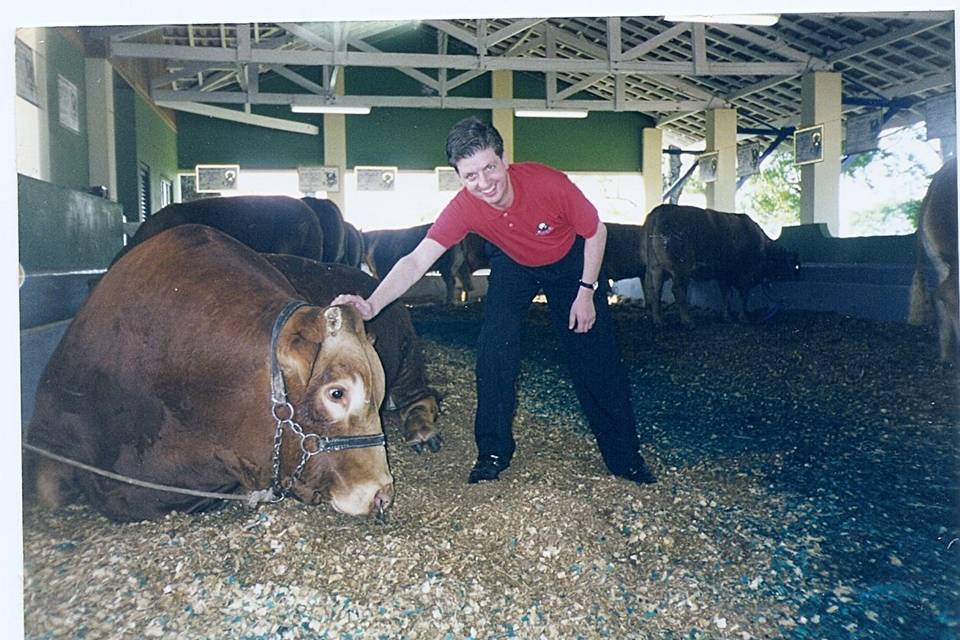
[{"x": 335, "y": 383}]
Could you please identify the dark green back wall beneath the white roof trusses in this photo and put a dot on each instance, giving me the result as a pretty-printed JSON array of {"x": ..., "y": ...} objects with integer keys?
[{"x": 412, "y": 138}]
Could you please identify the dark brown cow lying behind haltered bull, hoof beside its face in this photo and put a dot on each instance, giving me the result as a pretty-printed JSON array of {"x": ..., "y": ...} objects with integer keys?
[{"x": 394, "y": 337}]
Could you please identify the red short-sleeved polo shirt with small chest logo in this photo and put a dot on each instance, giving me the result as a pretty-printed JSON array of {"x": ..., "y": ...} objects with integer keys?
[{"x": 547, "y": 213}]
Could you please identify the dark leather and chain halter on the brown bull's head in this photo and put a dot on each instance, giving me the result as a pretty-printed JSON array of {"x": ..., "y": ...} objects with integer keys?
[{"x": 310, "y": 443}]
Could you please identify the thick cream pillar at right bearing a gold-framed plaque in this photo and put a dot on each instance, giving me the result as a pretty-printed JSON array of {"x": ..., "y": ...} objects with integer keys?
[{"x": 820, "y": 181}]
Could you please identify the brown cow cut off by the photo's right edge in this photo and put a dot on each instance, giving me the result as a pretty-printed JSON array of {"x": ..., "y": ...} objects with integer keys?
[{"x": 937, "y": 240}]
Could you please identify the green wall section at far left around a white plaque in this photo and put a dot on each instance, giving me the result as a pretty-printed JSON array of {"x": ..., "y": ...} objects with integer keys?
[{"x": 69, "y": 164}]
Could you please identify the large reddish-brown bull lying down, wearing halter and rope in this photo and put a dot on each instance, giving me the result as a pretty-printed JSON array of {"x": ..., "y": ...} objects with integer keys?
[{"x": 164, "y": 376}]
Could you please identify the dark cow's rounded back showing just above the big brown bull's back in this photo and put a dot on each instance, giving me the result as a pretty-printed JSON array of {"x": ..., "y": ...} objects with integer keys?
[{"x": 268, "y": 224}]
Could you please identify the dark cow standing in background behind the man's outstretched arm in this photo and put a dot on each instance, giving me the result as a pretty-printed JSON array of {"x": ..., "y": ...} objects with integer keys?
[{"x": 384, "y": 247}]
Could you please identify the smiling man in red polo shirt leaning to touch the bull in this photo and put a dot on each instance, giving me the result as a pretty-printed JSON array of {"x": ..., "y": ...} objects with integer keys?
[{"x": 542, "y": 234}]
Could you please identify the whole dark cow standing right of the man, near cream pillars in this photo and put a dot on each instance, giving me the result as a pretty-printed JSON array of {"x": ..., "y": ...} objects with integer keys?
[{"x": 690, "y": 243}]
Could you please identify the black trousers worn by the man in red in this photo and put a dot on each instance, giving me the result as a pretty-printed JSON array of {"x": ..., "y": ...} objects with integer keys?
[{"x": 592, "y": 358}]
